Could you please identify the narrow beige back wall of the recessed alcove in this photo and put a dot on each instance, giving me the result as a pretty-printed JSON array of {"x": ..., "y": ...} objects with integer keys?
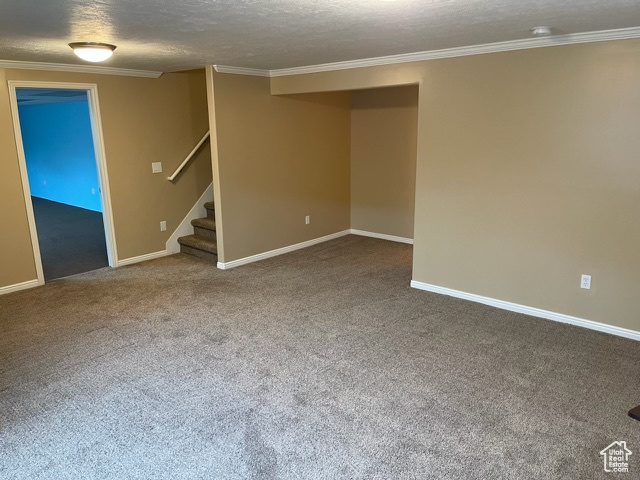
[{"x": 383, "y": 160}]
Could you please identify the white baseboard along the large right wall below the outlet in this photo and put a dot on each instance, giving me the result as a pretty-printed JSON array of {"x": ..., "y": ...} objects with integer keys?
[{"x": 535, "y": 312}]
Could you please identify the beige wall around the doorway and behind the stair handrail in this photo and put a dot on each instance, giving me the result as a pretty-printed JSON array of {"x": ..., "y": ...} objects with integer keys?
[{"x": 144, "y": 120}]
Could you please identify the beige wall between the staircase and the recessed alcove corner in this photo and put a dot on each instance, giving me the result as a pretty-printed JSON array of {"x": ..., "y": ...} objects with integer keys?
[{"x": 279, "y": 159}]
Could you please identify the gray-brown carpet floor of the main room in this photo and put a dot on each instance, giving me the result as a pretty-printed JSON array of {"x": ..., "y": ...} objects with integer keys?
[{"x": 319, "y": 364}]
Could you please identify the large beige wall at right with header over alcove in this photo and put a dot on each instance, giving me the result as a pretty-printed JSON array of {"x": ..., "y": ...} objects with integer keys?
[{"x": 527, "y": 174}]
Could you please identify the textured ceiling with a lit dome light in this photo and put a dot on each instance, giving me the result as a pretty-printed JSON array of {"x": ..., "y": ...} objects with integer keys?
[{"x": 171, "y": 35}]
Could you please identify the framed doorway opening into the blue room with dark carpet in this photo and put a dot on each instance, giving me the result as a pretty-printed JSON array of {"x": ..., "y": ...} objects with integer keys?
[{"x": 64, "y": 178}]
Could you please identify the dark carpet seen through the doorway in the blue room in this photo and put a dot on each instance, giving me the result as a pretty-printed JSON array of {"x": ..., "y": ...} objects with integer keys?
[{"x": 71, "y": 239}]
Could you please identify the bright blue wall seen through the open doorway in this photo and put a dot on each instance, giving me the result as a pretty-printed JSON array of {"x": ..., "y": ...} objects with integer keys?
[{"x": 58, "y": 147}]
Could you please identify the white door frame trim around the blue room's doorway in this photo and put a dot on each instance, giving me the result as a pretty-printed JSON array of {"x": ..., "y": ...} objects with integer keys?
[{"x": 101, "y": 164}]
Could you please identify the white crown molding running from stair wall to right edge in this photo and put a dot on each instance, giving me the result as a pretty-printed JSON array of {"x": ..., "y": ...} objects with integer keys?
[{"x": 520, "y": 44}]
